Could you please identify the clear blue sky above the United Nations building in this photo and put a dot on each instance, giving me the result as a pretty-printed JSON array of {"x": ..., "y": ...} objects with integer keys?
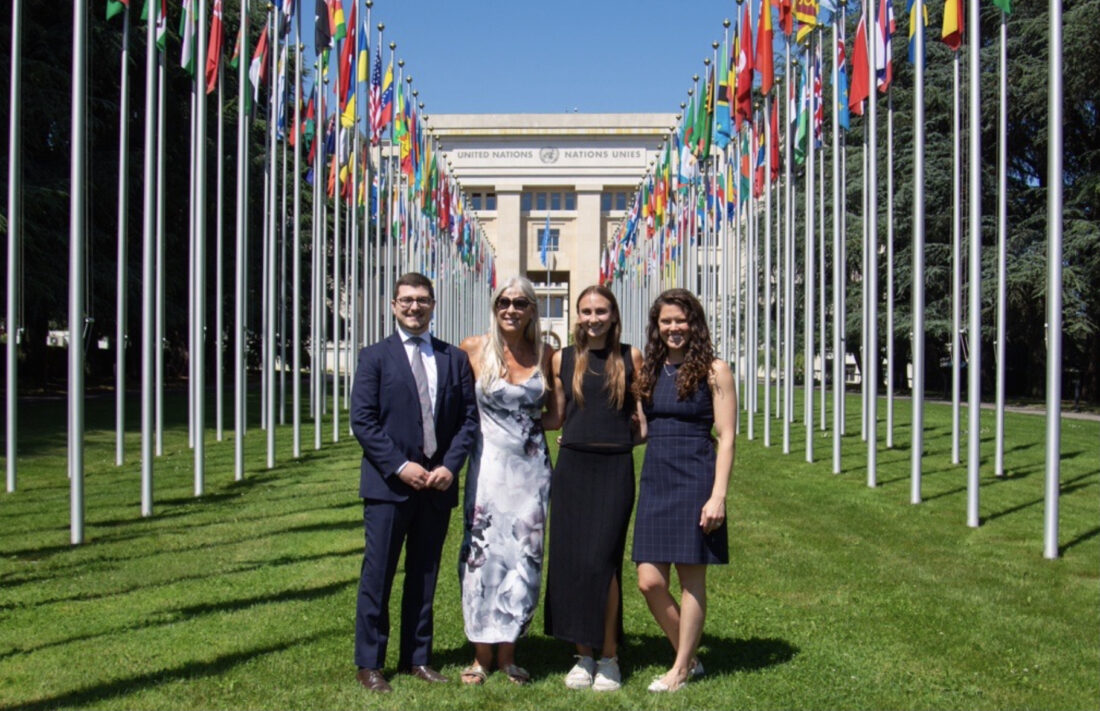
[{"x": 538, "y": 57}]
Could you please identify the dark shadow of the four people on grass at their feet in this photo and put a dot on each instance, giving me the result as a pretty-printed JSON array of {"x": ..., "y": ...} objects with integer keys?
[{"x": 548, "y": 658}]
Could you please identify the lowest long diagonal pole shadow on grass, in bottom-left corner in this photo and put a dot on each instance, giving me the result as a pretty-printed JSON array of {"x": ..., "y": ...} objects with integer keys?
[{"x": 184, "y": 673}]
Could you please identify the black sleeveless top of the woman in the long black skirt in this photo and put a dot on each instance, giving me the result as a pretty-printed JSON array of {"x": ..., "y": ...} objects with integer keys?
[{"x": 597, "y": 428}]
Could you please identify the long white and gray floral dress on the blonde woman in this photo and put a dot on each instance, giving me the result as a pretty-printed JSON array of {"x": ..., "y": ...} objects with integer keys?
[{"x": 505, "y": 512}]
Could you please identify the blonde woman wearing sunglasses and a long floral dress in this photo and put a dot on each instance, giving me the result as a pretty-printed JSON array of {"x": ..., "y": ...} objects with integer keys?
[{"x": 508, "y": 484}]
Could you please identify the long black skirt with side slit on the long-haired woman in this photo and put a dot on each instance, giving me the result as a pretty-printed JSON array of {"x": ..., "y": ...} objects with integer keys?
[{"x": 591, "y": 499}]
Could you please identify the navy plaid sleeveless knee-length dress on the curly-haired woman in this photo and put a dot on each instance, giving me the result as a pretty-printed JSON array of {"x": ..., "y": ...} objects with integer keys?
[{"x": 677, "y": 478}]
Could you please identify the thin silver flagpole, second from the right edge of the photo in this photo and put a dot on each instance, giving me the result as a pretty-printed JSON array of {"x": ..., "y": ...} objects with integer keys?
[{"x": 1003, "y": 227}]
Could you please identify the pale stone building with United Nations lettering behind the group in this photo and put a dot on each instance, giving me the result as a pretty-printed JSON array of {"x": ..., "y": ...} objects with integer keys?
[{"x": 575, "y": 172}]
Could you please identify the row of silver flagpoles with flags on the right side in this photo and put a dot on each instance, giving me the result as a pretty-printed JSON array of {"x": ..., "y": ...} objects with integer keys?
[{"x": 713, "y": 216}]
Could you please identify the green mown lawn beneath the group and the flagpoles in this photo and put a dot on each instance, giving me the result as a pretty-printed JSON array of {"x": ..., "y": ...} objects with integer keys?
[{"x": 839, "y": 596}]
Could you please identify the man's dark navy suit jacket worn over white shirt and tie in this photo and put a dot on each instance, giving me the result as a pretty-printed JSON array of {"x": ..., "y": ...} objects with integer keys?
[{"x": 386, "y": 418}]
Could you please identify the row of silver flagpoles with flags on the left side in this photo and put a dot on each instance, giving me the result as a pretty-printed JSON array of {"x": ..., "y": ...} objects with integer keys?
[{"x": 383, "y": 202}]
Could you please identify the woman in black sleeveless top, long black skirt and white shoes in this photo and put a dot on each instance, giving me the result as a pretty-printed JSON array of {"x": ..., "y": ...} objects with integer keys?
[{"x": 592, "y": 489}]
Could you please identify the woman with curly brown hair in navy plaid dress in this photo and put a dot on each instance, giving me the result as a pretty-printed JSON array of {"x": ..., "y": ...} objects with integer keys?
[{"x": 681, "y": 518}]
